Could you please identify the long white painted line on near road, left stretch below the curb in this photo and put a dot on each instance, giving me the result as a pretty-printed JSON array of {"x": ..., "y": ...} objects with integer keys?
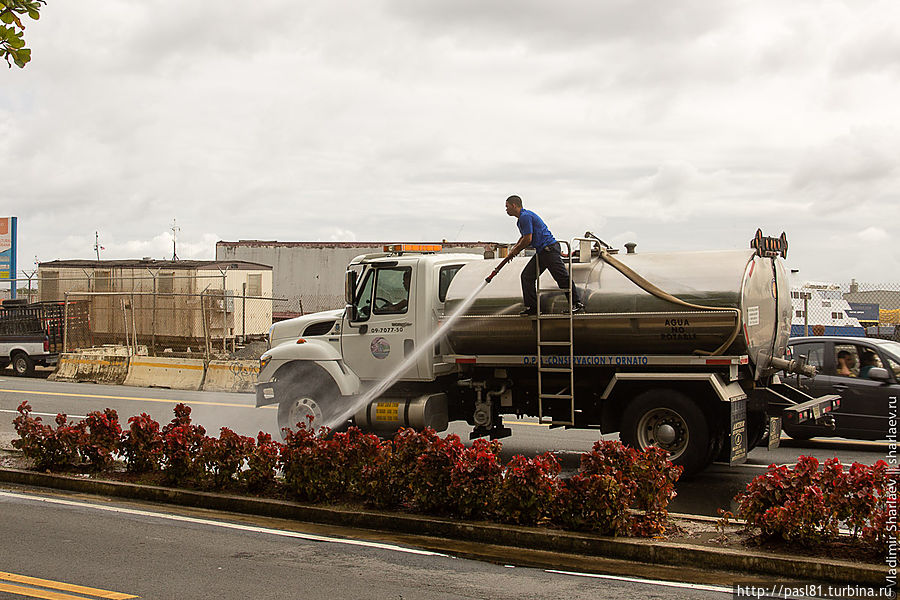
[{"x": 222, "y": 524}]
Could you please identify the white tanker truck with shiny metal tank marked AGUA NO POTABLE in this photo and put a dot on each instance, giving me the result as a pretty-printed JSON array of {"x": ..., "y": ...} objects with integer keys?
[{"x": 679, "y": 350}]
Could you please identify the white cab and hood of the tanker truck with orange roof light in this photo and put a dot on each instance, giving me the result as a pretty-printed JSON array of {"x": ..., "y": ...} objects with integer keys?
[{"x": 317, "y": 364}]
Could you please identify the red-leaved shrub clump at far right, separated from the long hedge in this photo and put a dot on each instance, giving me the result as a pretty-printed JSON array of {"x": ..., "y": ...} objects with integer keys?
[{"x": 806, "y": 505}]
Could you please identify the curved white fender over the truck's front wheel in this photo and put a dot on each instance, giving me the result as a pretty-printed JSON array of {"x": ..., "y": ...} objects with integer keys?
[{"x": 318, "y": 352}]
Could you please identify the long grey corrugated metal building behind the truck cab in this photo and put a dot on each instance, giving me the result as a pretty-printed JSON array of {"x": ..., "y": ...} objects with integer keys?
[{"x": 311, "y": 274}]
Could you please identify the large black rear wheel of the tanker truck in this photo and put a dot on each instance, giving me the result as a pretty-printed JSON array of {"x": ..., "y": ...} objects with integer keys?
[{"x": 670, "y": 420}]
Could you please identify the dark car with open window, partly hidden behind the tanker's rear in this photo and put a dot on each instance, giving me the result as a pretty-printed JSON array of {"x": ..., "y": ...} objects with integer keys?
[{"x": 866, "y": 374}]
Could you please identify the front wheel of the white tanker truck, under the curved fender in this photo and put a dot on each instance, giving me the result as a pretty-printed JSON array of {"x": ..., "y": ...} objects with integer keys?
[{"x": 311, "y": 393}]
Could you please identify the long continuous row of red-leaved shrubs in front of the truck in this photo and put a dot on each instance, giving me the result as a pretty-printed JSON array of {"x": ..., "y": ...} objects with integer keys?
[{"x": 618, "y": 491}]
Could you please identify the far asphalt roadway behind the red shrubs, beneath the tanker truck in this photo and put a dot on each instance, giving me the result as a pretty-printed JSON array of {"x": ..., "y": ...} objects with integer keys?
[{"x": 704, "y": 494}]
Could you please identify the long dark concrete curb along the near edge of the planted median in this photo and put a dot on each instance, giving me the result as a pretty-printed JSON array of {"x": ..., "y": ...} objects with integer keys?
[{"x": 655, "y": 552}]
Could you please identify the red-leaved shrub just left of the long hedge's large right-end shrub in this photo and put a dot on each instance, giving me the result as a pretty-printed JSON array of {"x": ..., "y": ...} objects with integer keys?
[{"x": 526, "y": 492}]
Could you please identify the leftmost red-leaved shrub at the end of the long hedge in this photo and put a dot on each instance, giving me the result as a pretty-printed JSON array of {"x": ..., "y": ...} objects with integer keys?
[{"x": 50, "y": 448}]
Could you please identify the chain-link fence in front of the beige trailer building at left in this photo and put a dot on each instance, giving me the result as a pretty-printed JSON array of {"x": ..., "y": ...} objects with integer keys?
[{"x": 158, "y": 313}]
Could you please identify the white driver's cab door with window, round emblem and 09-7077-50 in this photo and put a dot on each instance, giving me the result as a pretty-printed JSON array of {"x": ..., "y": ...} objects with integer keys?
[{"x": 384, "y": 331}]
